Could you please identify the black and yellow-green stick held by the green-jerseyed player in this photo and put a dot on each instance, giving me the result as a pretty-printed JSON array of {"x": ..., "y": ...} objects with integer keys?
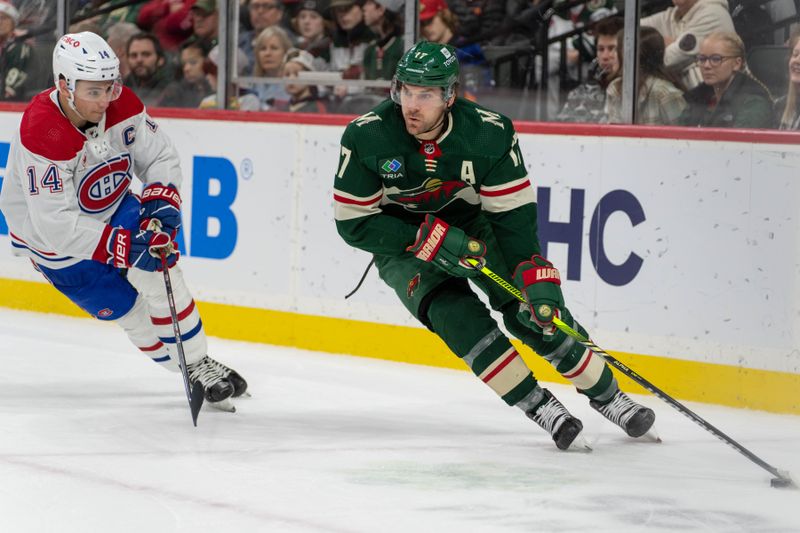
[{"x": 781, "y": 479}]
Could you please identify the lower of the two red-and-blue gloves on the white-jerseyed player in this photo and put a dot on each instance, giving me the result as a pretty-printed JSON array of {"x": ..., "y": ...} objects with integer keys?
[{"x": 140, "y": 249}]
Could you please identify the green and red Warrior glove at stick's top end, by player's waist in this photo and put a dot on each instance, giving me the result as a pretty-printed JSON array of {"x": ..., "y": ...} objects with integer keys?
[{"x": 447, "y": 247}]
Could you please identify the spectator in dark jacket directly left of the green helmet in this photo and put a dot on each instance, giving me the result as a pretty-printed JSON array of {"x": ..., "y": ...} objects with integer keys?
[{"x": 385, "y": 19}]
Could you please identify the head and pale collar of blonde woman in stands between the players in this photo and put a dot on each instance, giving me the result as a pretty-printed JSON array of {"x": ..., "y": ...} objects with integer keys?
[{"x": 270, "y": 48}]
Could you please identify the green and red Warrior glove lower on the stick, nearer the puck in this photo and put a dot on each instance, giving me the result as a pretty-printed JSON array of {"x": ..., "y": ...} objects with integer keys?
[{"x": 540, "y": 284}]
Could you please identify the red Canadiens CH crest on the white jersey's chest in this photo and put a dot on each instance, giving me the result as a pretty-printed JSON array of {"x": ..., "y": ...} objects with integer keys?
[{"x": 105, "y": 184}]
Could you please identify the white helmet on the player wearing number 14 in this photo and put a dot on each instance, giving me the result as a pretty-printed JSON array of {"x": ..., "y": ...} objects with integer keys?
[{"x": 85, "y": 56}]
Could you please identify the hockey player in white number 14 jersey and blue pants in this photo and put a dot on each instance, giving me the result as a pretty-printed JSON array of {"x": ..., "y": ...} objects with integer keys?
[{"x": 69, "y": 209}]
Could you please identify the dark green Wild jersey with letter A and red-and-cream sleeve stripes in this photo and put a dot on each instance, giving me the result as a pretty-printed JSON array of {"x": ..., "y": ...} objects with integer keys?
[{"x": 387, "y": 181}]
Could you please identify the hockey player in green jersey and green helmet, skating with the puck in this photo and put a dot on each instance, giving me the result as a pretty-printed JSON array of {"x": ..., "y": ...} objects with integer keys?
[{"x": 426, "y": 180}]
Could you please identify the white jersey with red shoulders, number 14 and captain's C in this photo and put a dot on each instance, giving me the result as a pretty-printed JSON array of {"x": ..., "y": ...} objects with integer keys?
[{"x": 62, "y": 186}]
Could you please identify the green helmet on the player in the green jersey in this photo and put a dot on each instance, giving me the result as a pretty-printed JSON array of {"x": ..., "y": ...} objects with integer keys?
[{"x": 427, "y": 64}]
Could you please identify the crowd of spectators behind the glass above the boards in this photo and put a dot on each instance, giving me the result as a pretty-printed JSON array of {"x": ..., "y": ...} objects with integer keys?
[{"x": 693, "y": 54}]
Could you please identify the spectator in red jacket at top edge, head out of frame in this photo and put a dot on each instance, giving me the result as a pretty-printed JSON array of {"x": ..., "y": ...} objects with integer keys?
[{"x": 169, "y": 20}]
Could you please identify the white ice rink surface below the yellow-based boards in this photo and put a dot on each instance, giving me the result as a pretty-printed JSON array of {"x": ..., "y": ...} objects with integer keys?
[{"x": 95, "y": 438}]
